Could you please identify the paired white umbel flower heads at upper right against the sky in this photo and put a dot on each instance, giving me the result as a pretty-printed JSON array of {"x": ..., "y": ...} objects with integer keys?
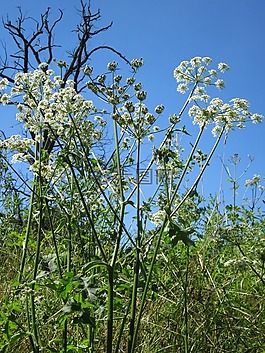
[{"x": 198, "y": 74}]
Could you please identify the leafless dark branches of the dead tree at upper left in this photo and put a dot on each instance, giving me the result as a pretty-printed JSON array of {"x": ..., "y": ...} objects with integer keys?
[{"x": 38, "y": 46}]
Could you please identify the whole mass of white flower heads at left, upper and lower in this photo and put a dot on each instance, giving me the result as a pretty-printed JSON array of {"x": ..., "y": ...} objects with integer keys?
[{"x": 49, "y": 109}]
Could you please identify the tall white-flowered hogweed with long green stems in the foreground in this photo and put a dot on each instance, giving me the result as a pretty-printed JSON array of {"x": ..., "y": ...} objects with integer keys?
[{"x": 94, "y": 235}]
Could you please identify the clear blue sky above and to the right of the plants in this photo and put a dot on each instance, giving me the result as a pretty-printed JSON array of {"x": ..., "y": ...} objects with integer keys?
[{"x": 167, "y": 32}]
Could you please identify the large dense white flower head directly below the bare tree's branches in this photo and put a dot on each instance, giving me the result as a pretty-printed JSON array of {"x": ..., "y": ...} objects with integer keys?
[{"x": 43, "y": 102}]
